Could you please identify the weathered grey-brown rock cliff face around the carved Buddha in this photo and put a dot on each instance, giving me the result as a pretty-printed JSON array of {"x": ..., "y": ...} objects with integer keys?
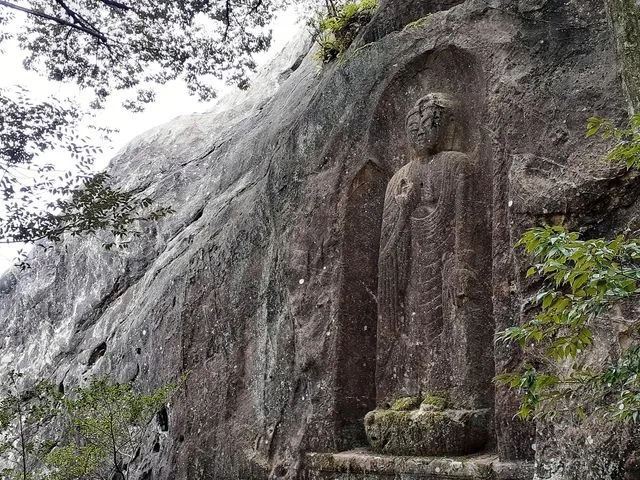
[{"x": 263, "y": 283}]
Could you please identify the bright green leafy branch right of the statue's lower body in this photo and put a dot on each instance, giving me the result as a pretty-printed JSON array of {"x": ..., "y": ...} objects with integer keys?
[{"x": 583, "y": 278}]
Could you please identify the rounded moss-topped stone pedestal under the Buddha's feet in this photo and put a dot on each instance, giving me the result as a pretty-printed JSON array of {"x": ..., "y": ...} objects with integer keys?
[{"x": 427, "y": 432}]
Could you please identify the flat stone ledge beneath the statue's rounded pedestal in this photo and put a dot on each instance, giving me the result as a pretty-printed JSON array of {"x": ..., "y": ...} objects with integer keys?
[{"x": 364, "y": 465}]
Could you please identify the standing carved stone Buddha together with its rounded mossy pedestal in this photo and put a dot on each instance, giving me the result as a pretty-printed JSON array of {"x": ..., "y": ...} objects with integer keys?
[{"x": 434, "y": 339}]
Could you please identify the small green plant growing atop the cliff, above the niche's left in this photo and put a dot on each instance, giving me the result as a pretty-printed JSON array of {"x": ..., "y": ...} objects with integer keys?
[{"x": 338, "y": 27}]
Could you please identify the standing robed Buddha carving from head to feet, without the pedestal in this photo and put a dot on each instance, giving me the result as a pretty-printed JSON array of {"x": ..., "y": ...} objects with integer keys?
[{"x": 428, "y": 290}]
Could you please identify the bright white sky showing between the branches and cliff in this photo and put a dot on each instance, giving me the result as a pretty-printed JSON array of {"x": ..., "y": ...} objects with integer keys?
[{"x": 172, "y": 100}]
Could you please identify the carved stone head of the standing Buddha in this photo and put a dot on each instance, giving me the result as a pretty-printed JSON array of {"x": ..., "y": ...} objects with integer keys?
[{"x": 430, "y": 125}]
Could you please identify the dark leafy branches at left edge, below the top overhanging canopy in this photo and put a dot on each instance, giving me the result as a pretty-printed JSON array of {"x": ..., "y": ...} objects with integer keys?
[{"x": 39, "y": 202}]
